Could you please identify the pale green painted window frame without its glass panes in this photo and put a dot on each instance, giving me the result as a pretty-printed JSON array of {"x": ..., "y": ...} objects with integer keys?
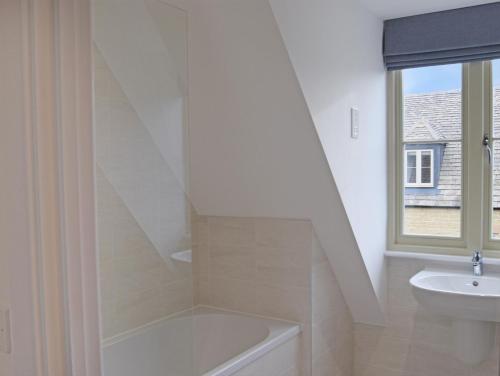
[{"x": 476, "y": 213}]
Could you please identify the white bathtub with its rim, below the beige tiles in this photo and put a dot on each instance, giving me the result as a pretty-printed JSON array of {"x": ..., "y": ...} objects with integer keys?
[{"x": 203, "y": 341}]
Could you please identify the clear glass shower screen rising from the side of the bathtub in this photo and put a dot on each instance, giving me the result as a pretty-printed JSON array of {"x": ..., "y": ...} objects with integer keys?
[{"x": 143, "y": 211}]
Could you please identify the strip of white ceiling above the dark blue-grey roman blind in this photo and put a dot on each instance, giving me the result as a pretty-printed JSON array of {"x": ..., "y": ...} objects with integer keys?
[{"x": 399, "y": 8}]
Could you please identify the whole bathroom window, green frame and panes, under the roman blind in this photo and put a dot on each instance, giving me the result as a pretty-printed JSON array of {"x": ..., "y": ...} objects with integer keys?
[{"x": 444, "y": 184}]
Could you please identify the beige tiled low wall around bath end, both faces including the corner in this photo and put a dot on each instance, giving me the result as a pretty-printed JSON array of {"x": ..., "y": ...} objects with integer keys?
[{"x": 276, "y": 268}]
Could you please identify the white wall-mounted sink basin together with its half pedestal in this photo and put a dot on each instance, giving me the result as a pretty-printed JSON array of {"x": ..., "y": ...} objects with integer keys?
[{"x": 472, "y": 303}]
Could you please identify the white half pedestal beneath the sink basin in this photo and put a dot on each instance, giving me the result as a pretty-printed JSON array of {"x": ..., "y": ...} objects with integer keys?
[{"x": 473, "y": 340}]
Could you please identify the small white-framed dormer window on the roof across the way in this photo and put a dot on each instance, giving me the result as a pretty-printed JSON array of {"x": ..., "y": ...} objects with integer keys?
[{"x": 419, "y": 168}]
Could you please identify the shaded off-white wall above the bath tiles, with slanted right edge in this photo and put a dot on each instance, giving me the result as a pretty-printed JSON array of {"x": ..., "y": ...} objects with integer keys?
[{"x": 254, "y": 150}]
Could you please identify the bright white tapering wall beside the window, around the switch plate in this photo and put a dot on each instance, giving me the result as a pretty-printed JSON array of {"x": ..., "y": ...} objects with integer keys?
[{"x": 335, "y": 48}]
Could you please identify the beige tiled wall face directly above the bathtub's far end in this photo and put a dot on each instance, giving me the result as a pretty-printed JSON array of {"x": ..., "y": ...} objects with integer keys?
[{"x": 254, "y": 265}]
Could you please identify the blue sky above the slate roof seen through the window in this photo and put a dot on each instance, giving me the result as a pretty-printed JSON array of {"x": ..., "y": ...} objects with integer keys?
[{"x": 439, "y": 78}]
